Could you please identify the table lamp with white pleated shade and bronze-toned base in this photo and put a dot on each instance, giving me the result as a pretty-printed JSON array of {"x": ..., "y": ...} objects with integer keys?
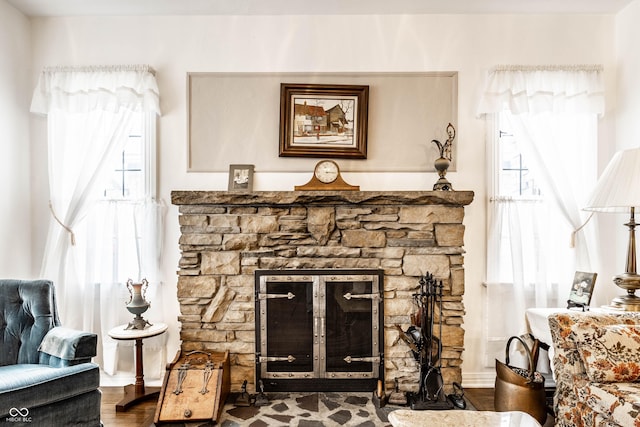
[{"x": 618, "y": 191}]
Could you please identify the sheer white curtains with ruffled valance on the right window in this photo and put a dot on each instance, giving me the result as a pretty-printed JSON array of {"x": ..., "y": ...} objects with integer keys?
[{"x": 552, "y": 112}]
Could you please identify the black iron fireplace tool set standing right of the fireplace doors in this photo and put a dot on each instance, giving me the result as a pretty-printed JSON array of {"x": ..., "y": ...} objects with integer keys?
[{"x": 427, "y": 349}]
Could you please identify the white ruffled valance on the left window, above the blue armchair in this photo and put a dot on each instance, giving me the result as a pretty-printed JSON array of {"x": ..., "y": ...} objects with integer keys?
[{"x": 82, "y": 89}]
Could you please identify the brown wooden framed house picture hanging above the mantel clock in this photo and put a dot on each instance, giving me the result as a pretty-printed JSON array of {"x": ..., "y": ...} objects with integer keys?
[{"x": 323, "y": 120}]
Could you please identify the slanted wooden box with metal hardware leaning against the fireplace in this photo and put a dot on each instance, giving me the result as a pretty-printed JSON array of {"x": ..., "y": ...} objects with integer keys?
[{"x": 194, "y": 388}]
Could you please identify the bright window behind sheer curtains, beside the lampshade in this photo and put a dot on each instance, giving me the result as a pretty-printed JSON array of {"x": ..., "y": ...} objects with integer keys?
[{"x": 540, "y": 174}]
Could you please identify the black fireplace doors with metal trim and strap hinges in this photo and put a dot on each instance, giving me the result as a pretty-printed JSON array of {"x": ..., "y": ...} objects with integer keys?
[{"x": 319, "y": 330}]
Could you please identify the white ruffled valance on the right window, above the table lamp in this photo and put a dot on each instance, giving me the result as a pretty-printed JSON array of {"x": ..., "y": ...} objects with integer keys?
[{"x": 537, "y": 89}]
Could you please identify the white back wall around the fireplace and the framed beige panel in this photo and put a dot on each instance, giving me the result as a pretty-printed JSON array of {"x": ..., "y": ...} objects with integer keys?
[{"x": 469, "y": 44}]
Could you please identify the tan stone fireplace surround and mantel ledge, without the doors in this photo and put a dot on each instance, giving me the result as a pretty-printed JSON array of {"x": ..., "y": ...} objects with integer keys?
[{"x": 227, "y": 236}]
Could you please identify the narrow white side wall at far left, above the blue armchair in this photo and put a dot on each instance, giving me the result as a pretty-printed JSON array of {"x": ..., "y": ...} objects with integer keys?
[{"x": 15, "y": 87}]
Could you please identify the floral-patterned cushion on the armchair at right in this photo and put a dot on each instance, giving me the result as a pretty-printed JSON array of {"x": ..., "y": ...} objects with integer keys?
[{"x": 610, "y": 352}]
